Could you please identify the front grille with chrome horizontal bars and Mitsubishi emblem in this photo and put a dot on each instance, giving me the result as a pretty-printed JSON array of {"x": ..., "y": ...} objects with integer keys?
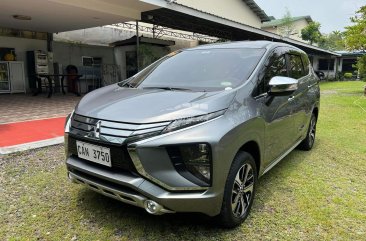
[{"x": 111, "y": 131}]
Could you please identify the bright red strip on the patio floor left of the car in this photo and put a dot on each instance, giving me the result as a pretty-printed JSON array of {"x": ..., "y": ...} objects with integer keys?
[{"x": 30, "y": 131}]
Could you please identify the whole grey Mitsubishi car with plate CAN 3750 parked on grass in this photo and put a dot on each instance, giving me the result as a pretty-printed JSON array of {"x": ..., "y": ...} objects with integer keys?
[{"x": 195, "y": 130}]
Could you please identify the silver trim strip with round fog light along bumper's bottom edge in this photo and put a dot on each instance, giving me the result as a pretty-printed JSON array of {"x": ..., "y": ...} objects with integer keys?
[{"x": 133, "y": 199}]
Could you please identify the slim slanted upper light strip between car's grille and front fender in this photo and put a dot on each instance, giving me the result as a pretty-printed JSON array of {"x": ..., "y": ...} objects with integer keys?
[{"x": 183, "y": 123}]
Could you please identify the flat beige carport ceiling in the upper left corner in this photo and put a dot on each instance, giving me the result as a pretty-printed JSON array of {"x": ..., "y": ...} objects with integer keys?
[{"x": 64, "y": 15}]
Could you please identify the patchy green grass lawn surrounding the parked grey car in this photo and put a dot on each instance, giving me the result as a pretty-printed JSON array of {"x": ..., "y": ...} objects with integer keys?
[{"x": 317, "y": 195}]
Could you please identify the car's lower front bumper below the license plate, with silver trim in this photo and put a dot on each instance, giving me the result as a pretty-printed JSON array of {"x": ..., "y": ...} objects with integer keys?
[{"x": 135, "y": 190}]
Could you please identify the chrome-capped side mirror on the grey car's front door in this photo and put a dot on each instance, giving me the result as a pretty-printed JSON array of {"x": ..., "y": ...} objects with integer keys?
[{"x": 280, "y": 85}]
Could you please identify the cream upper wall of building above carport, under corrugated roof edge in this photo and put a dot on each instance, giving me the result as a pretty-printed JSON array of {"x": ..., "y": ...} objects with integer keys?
[{"x": 235, "y": 10}]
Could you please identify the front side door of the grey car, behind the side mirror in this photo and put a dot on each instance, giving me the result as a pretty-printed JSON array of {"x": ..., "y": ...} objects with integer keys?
[{"x": 276, "y": 111}]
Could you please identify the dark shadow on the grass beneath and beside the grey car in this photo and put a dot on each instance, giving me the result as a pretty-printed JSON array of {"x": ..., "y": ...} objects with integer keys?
[{"x": 123, "y": 218}]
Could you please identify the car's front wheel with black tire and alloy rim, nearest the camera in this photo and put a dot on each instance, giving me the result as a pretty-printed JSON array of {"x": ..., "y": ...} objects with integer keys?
[{"x": 239, "y": 191}]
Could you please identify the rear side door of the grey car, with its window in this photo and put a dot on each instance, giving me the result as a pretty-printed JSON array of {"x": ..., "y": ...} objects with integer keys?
[{"x": 299, "y": 97}]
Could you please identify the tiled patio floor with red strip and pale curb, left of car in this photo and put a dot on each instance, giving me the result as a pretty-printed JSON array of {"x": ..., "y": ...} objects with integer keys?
[{"x": 28, "y": 122}]
